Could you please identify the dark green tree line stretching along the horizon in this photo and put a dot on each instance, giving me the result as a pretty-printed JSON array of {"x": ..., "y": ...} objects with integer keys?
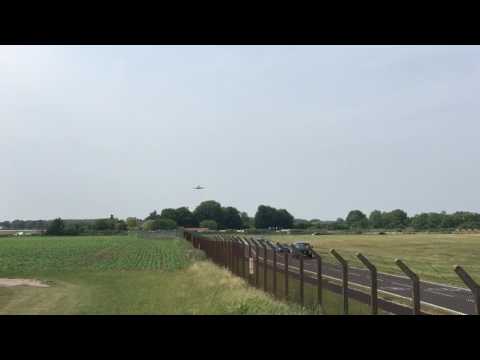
[{"x": 212, "y": 215}]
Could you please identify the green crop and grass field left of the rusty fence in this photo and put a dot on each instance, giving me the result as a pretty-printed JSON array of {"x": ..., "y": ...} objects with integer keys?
[{"x": 123, "y": 275}]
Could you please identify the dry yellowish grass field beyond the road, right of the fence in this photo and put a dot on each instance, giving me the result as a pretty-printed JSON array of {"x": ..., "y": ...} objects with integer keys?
[{"x": 432, "y": 256}]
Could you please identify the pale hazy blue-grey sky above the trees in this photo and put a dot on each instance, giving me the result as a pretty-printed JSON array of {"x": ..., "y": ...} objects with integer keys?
[{"x": 89, "y": 131}]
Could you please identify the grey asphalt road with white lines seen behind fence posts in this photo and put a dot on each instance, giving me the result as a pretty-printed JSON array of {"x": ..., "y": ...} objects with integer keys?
[{"x": 459, "y": 300}]
